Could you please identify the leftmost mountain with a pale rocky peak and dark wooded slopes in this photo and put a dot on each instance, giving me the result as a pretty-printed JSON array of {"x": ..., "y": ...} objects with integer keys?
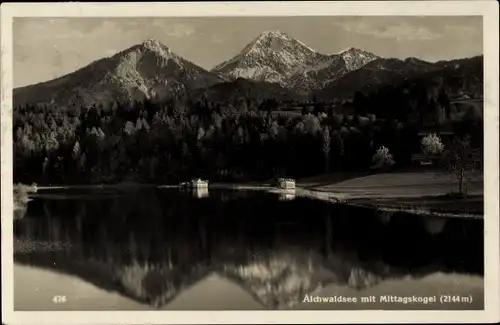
[{"x": 147, "y": 70}]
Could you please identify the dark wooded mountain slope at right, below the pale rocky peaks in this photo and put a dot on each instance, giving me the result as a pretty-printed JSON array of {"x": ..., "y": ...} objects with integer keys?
[{"x": 413, "y": 88}]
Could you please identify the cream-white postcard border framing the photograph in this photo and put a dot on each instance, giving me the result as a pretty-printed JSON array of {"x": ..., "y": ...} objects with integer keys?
[{"x": 487, "y": 9}]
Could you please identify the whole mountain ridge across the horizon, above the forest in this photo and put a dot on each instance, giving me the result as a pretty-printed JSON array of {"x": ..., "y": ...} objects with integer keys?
[{"x": 274, "y": 62}]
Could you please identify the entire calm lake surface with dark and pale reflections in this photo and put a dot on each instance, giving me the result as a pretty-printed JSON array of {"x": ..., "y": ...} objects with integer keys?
[{"x": 151, "y": 248}]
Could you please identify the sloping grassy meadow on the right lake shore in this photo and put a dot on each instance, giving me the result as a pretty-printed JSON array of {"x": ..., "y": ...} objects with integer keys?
[{"x": 417, "y": 192}]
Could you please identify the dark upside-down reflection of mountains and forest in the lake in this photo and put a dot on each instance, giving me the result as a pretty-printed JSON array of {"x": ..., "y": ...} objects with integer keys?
[{"x": 150, "y": 245}]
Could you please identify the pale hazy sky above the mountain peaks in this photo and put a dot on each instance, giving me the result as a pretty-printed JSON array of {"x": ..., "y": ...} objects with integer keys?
[{"x": 47, "y": 48}]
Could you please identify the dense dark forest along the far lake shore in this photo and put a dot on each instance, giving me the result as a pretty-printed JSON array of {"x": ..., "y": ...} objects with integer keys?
[{"x": 239, "y": 140}]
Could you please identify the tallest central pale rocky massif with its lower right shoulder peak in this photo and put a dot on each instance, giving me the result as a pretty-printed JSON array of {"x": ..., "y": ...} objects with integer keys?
[{"x": 276, "y": 57}]
